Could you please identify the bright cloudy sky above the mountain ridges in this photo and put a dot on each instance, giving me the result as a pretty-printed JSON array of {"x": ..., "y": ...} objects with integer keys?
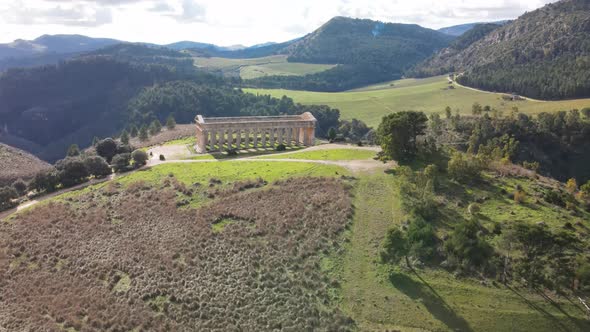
[{"x": 232, "y": 22}]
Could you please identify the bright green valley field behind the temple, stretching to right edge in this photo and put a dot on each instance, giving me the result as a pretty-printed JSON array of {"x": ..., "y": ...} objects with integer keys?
[{"x": 429, "y": 95}]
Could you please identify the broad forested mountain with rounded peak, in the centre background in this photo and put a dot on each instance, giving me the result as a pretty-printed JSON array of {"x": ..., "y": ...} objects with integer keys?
[{"x": 367, "y": 52}]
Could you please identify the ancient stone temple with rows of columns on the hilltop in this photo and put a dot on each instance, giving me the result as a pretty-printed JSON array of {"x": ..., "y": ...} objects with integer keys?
[{"x": 246, "y": 132}]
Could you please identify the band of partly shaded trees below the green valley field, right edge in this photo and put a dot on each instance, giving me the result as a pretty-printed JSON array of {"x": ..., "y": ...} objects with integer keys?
[{"x": 556, "y": 141}]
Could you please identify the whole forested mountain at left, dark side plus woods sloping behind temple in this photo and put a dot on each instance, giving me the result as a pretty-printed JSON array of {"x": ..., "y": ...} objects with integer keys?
[{"x": 45, "y": 109}]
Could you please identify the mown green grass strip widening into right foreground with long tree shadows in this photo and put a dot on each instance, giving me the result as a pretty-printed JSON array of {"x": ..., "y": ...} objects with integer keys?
[{"x": 429, "y": 300}]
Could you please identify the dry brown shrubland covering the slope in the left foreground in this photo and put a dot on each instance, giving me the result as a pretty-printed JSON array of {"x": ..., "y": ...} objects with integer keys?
[{"x": 65, "y": 264}]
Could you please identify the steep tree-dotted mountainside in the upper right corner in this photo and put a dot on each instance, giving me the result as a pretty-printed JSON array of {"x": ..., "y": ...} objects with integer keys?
[{"x": 543, "y": 54}]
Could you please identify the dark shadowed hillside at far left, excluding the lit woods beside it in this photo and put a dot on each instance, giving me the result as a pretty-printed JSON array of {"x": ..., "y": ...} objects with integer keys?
[{"x": 44, "y": 109}]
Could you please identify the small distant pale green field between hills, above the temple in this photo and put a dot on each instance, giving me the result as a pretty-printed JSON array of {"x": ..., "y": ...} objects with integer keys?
[{"x": 258, "y": 67}]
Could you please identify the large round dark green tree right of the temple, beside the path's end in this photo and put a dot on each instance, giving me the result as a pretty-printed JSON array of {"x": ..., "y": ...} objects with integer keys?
[{"x": 398, "y": 132}]
